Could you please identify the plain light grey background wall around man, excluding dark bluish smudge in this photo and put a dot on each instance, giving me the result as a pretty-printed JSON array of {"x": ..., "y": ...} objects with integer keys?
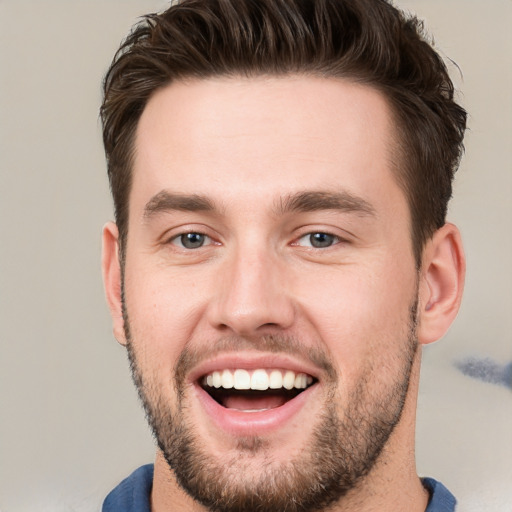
[{"x": 70, "y": 424}]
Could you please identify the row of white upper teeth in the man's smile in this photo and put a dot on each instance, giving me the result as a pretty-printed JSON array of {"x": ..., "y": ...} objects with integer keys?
[{"x": 257, "y": 379}]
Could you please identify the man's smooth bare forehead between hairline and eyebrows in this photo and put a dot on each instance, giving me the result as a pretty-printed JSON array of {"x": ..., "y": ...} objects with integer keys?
[{"x": 230, "y": 137}]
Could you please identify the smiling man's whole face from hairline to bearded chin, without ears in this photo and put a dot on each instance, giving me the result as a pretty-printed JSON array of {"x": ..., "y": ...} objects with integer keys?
[{"x": 269, "y": 247}]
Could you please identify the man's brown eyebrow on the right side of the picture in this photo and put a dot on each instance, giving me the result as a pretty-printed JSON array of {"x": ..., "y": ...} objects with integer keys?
[{"x": 318, "y": 200}]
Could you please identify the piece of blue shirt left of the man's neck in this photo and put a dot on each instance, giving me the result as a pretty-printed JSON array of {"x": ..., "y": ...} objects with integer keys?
[{"x": 133, "y": 493}]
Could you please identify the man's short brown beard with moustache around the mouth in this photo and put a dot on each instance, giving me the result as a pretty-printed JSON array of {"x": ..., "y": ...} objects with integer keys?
[{"x": 344, "y": 446}]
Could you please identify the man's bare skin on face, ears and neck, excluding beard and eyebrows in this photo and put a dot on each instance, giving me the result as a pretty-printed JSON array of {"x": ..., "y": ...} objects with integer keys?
[{"x": 246, "y": 145}]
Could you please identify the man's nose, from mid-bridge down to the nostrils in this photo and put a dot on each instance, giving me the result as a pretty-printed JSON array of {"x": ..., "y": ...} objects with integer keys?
[{"x": 253, "y": 296}]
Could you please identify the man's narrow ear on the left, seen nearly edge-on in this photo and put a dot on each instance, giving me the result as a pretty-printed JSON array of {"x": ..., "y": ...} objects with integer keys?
[{"x": 111, "y": 269}]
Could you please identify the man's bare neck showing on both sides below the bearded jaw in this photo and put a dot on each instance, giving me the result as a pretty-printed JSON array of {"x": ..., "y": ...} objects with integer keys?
[{"x": 392, "y": 486}]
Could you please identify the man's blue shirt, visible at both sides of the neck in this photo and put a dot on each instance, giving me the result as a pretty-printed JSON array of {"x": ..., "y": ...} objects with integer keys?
[{"x": 133, "y": 494}]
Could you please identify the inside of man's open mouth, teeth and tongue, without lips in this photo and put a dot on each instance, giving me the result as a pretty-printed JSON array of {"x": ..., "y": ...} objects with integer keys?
[{"x": 255, "y": 390}]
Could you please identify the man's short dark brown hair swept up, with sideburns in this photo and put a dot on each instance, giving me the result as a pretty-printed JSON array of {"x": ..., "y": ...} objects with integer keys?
[{"x": 368, "y": 41}]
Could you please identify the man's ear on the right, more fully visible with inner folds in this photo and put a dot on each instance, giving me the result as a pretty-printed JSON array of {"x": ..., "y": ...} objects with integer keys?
[{"x": 441, "y": 283}]
